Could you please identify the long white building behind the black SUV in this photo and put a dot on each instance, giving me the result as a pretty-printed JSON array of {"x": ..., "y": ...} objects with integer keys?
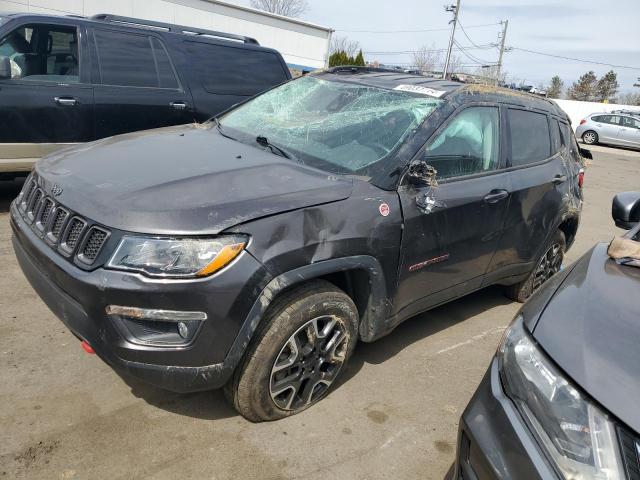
[{"x": 303, "y": 45}]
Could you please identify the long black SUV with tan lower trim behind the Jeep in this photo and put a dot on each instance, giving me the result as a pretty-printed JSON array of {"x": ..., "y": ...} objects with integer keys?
[{"x": 68, "y": 80}]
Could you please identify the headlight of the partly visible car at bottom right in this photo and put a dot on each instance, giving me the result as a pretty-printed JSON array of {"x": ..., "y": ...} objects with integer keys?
[{"x": 578, "y": 436}]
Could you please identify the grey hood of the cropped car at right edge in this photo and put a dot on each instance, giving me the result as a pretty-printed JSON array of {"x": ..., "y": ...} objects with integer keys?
[{"x": 591, "y": 329}]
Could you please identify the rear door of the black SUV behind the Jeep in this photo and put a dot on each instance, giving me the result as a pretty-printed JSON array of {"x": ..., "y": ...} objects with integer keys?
[{"x": 136, "y": 84}]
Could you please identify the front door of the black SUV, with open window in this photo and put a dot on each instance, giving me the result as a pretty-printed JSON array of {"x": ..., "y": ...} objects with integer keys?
[{"x": 48, "y": 101}]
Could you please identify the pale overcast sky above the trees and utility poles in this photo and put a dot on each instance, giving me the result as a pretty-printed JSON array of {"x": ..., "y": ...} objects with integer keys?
[{"x": 586, "y": 29}]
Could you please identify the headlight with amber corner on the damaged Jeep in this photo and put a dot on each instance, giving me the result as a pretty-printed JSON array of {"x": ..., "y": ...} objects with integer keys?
[{"x": 177, "y": 258}]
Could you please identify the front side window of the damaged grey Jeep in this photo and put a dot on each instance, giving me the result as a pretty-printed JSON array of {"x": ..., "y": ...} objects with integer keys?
[{"x": 470, "y": 144}]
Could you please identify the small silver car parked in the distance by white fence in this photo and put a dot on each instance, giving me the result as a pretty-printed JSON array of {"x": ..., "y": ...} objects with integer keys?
[{"x": 621, "y": 129}]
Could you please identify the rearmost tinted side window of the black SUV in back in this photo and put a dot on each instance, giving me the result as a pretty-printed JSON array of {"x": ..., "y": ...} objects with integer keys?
[{"x": 235, "y": 71}]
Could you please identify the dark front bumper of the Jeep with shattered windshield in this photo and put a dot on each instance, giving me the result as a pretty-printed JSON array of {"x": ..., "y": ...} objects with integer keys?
[{"x": 79, "y": 299}]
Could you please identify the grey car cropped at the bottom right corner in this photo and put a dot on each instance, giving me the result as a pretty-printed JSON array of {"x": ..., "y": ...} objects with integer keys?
[{"x": 560, "y": 397}]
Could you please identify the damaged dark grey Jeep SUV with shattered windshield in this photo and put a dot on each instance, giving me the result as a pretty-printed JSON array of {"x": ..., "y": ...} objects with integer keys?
[{"x": 255, "y": 250}]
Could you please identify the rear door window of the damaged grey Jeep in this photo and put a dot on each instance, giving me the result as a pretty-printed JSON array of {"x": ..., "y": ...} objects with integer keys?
[{"x": 530, "y": 137}]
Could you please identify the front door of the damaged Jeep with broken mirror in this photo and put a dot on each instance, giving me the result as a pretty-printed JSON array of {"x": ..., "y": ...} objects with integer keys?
[{"x": 452, "y": 229}]
